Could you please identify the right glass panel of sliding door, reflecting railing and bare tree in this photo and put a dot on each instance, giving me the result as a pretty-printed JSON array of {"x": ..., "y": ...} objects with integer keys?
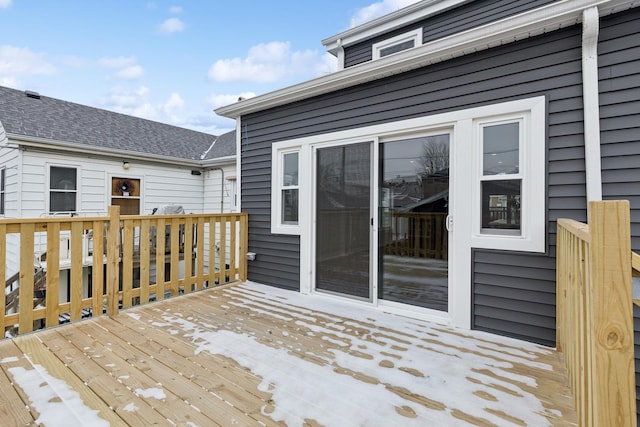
[{"x": 413, "y": 238}]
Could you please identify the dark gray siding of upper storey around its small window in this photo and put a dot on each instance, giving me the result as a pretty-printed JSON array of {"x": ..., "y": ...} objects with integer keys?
[{"x": 470, "y": 15}]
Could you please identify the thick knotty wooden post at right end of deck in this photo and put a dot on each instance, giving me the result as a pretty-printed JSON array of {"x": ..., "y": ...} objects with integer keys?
[{"x": 611, "y": 315}]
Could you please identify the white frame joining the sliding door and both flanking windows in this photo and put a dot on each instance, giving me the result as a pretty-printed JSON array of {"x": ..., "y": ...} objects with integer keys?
[{"x": 465, "y": 200}]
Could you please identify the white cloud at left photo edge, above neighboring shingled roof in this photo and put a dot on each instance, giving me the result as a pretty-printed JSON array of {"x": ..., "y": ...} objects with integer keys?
[{"x": 16, "y": 62}]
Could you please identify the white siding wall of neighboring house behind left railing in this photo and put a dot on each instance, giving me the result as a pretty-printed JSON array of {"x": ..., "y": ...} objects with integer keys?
[{"x": 161, "y": 184}]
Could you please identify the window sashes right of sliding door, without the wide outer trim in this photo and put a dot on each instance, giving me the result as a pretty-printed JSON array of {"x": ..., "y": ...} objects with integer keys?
[{"x": 501, "y": 182}]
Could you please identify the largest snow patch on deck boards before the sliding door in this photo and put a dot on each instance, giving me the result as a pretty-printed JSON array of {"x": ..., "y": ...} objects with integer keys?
[{"x": 451, "y": 367}]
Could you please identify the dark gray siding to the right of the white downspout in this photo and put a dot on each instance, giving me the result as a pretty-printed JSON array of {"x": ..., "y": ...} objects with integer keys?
[{"x": 619, "y": 76}]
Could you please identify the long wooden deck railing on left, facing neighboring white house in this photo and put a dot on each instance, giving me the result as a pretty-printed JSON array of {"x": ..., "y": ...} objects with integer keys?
[{"x": 114, "y": 262}]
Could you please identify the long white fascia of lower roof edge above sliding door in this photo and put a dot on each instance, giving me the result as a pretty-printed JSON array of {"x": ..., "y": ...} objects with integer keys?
[{"x": 528, "y": 24}]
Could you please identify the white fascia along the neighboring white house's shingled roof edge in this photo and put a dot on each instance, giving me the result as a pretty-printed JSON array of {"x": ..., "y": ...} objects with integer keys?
[{"x": 72, "y": 147}]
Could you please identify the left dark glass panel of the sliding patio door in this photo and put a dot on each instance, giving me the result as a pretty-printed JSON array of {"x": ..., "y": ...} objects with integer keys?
[{"x": 343, "y": 215}]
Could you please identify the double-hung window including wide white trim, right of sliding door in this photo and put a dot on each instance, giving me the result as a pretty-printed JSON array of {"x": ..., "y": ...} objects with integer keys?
[{"x": 508, "y": 195}]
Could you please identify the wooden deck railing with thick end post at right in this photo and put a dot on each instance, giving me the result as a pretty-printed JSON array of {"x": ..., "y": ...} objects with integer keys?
[{"x": 595, "y": 313}]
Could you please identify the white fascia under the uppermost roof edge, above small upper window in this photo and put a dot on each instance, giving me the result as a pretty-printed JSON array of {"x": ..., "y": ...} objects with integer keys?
[{"x": 390, "y": 22}]
